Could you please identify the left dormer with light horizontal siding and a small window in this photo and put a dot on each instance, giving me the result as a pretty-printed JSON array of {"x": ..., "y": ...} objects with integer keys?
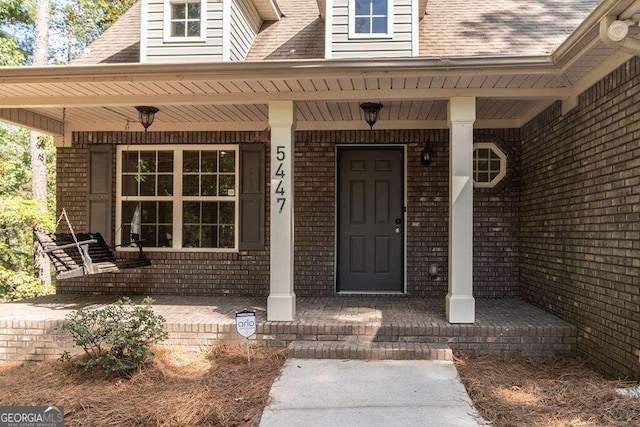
[{"x": 201, "y": 30}]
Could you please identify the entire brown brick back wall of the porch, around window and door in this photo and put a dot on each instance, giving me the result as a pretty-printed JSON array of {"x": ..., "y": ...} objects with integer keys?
[{"x": 247, "y": 273}]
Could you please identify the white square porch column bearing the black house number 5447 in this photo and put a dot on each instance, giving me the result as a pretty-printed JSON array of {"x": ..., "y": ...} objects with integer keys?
[{"x": 281, "y": 304}]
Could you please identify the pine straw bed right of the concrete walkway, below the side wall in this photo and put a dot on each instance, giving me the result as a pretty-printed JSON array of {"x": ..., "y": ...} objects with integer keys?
[{"x": 549, "y": 392}]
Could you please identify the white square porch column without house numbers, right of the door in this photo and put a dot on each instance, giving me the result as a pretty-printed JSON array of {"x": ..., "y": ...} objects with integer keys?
[{"x": 460, "y": 302}]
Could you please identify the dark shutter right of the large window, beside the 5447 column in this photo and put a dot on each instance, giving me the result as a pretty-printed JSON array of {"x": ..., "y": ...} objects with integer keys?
[{"x": 252, "y": 197}]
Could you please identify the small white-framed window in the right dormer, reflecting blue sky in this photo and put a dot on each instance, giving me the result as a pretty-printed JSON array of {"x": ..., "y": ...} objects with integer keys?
[{"x": 370, "y": 18}]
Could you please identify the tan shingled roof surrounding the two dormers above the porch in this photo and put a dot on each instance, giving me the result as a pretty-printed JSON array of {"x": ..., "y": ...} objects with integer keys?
[{"x": 449, "y": 28}]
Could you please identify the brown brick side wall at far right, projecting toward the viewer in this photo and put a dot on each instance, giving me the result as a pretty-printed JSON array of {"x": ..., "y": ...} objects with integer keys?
[{"x": 580, "y": 218}]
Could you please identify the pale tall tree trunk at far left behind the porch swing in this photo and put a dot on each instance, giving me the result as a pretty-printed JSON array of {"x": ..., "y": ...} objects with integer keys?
[{"x": 38, "y": 160}]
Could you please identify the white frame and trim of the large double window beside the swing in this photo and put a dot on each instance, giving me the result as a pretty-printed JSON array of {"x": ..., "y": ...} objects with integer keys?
[{"x": 177, "y": 198}]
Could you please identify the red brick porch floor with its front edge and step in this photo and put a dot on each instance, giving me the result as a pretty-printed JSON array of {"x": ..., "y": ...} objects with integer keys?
[{"x": 329, "y": 327}]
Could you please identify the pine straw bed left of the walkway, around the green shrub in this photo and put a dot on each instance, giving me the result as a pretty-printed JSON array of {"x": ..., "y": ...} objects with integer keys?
[{"x": 179, "y": 389}]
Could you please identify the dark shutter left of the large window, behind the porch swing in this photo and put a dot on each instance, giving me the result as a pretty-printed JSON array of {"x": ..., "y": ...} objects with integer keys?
[{"x": 99, "y": 203}]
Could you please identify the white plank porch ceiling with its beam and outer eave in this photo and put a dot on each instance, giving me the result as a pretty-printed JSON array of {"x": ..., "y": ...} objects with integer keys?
[{"x": 234, "y": 96}]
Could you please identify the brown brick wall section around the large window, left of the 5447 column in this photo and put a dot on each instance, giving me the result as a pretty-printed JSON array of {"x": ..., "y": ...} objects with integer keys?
[{"x": 244, "y": 273}]
